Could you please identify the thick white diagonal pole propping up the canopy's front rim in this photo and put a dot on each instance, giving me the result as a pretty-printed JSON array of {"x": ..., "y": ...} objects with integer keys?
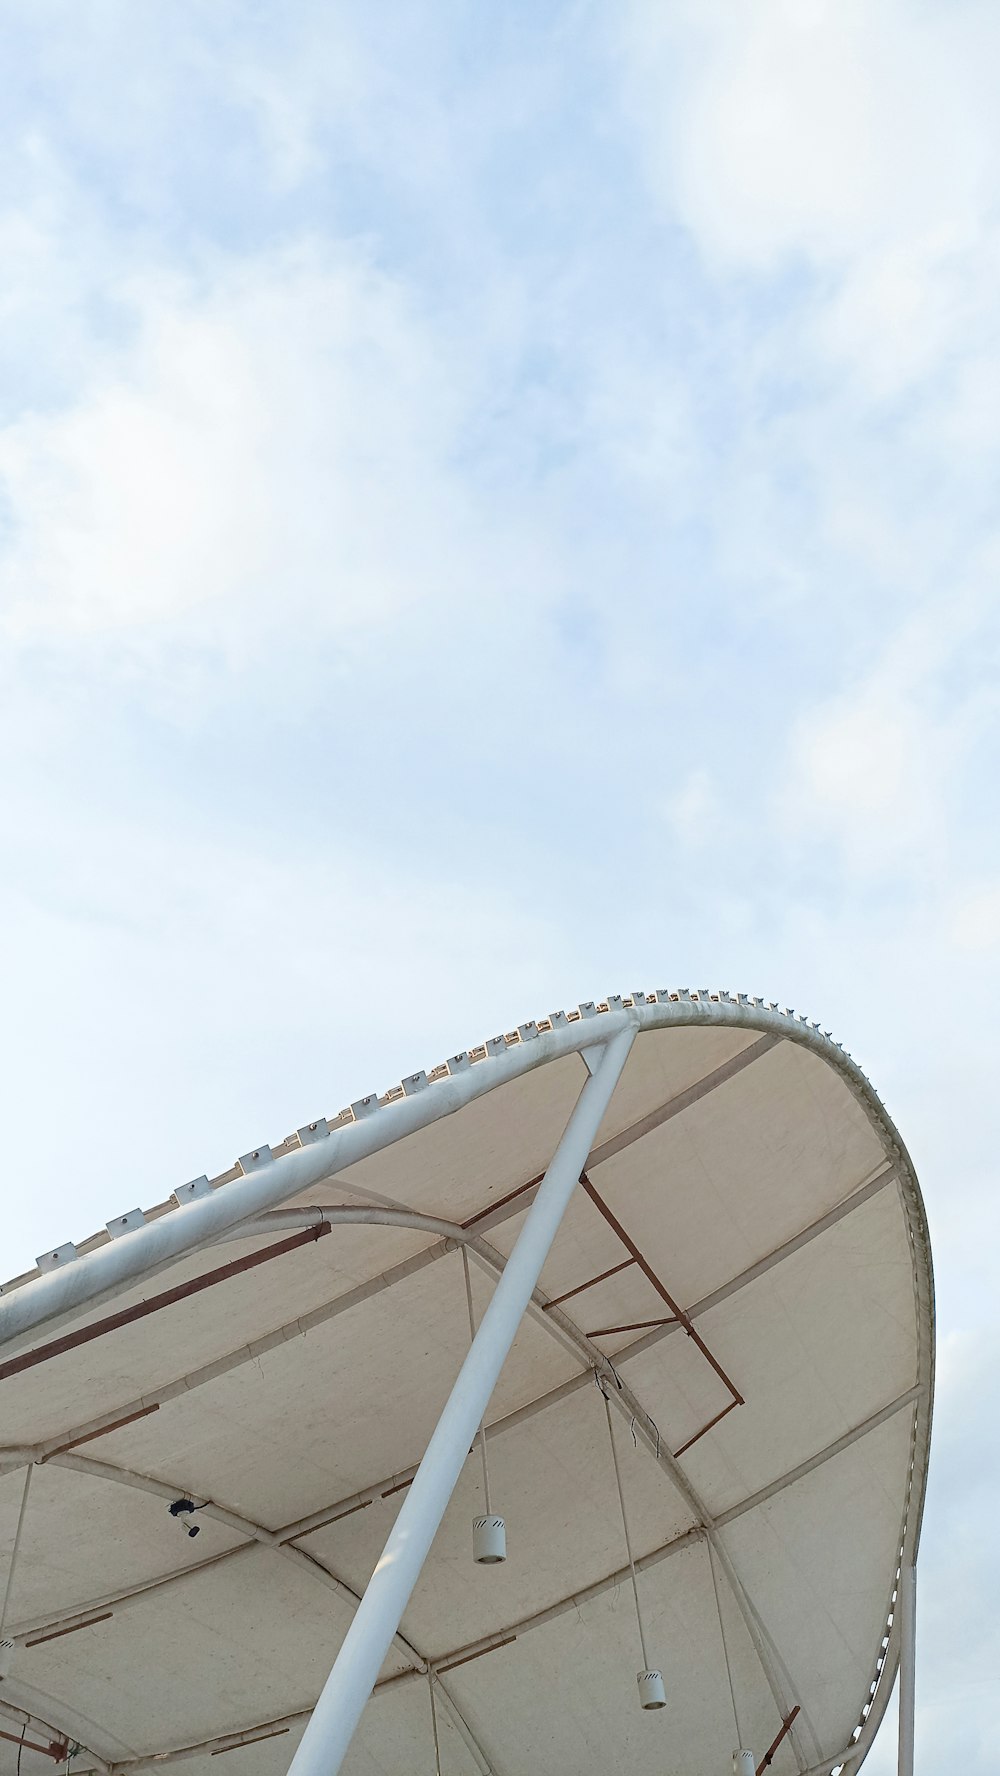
[{"x": 381, "y": 1610}]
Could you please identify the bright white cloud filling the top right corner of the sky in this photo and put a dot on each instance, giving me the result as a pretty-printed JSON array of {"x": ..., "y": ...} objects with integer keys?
[{"x": 845, "y": 141}]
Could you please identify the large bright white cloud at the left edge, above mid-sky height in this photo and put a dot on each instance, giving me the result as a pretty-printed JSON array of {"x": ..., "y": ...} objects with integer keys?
[{"x": 266, "y": 447}]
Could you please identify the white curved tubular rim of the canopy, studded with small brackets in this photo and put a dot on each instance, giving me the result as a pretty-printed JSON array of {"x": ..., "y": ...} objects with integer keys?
[{"x": 72, "y": 1281}]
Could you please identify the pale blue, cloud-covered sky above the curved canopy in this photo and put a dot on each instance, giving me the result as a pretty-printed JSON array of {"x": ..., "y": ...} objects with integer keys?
[{"x": 498, "y": 507}]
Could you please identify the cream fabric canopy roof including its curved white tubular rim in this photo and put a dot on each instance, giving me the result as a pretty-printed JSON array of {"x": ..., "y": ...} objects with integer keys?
[{"x": 763, "y": 1328}]
